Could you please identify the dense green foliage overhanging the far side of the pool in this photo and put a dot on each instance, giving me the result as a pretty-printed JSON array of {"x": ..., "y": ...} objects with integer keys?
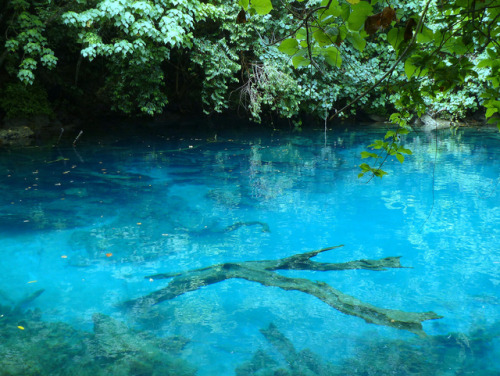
[{"x": 258, "y": 57}]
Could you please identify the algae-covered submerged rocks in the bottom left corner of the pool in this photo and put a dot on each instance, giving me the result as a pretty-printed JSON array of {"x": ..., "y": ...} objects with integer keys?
[{"x": 30, "y": 346}]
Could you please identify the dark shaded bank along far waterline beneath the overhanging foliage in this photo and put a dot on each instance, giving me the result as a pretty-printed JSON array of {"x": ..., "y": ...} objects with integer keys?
[{"x": 44, "y": 130}]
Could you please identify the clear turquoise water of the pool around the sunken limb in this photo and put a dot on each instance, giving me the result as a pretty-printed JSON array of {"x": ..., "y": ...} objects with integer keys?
[{"x": 87, "y": 224}]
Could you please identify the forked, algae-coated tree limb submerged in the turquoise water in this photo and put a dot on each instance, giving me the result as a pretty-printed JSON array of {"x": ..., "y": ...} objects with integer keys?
[{"x": 263, "y": 272}]
